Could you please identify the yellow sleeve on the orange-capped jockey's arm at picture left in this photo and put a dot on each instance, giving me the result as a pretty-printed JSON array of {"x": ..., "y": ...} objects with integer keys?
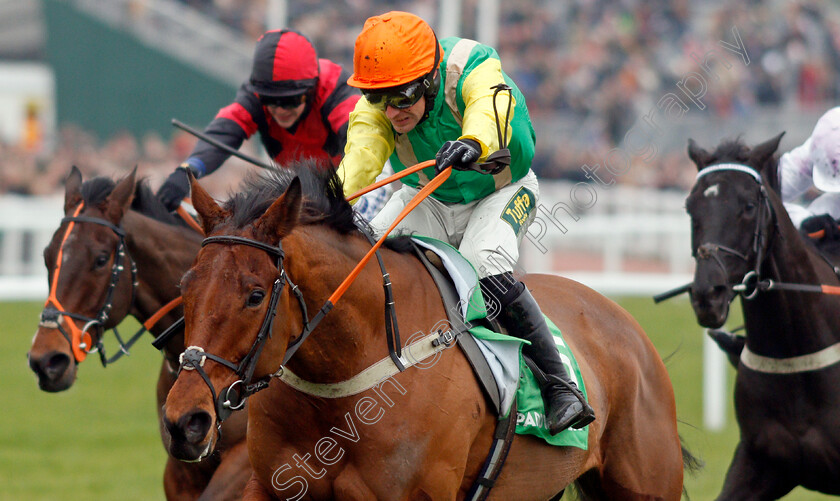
[{"x": 370, "y": 141}]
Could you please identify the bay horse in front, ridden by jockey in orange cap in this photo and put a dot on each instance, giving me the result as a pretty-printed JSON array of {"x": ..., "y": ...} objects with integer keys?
[{"x": 421, "y": 434}]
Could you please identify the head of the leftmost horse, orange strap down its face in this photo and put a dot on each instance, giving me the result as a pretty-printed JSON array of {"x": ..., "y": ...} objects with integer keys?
[{"x": 91, "y": 282}]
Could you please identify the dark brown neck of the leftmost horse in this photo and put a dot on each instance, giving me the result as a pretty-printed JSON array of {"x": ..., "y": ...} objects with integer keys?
[{"x": 162, "y": 254}]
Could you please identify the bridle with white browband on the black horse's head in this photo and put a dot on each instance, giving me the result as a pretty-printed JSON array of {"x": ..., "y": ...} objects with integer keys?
[{"x": 749, "y": 285}]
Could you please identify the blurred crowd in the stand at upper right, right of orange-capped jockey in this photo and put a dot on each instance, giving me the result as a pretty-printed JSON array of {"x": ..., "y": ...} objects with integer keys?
[{"x": 606, "y": 63}]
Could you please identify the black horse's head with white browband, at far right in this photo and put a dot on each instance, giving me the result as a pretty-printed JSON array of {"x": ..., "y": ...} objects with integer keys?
[{"x": 732, "y": 222}]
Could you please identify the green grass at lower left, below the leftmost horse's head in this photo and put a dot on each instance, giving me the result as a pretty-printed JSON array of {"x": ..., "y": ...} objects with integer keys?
[{"x": 97, "y": 440}]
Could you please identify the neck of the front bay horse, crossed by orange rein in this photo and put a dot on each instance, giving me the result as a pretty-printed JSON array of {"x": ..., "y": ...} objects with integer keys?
[{"x": 353, "y": 336}]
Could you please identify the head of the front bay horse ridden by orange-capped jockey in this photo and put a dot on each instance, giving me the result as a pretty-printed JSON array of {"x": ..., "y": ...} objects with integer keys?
[{"x": 231, "y": 294}]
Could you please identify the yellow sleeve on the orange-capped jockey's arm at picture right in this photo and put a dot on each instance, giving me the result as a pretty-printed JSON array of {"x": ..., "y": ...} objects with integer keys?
[{"x": 479, "y": 121}]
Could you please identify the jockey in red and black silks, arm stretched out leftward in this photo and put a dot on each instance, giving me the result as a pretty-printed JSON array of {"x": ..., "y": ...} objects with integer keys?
[{"x": 298, "y": 103}]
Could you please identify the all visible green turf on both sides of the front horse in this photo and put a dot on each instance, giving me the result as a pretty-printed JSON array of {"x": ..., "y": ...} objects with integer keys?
[{"x": 100, "y": 441}]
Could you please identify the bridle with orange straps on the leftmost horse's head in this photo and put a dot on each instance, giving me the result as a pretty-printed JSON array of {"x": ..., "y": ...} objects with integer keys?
[{"x": 52, "y": 316}]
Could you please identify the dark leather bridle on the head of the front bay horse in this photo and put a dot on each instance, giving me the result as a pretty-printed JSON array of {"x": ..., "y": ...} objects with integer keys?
[{"x": 233, "y": 396}]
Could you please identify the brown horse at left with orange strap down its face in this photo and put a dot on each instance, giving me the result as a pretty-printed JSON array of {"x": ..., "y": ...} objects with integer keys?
[{"x": 95, "y": 290}]
